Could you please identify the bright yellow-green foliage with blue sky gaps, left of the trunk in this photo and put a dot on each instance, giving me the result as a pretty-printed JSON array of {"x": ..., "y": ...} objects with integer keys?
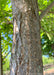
[{"x": 6, "y": 30}]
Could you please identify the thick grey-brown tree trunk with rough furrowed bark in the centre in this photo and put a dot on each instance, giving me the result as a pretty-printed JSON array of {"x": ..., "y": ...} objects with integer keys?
[{"x": 26, "y": 56}]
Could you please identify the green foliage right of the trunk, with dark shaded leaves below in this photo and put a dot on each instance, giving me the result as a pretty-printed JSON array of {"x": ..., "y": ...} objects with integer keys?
[{"x": 47, "y": 28}]
